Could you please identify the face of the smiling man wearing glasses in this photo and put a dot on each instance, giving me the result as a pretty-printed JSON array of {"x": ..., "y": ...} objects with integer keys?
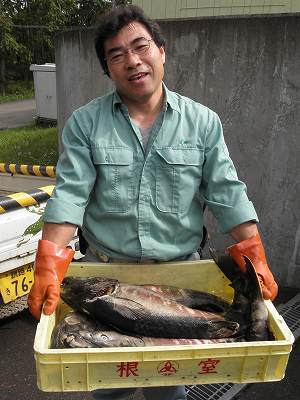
[{"x": 139, "y": 76}]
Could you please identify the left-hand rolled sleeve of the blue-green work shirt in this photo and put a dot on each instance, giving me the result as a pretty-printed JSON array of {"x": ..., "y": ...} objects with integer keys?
[{"x": 75, "y": 174}]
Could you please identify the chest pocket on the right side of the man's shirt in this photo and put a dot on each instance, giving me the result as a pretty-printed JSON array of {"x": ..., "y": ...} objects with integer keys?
[{"x": 178, "y": 177}]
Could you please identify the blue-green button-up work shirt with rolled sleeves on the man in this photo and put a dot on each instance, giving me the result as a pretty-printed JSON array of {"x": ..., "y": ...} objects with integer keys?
[{"x": 146, "y": 204}]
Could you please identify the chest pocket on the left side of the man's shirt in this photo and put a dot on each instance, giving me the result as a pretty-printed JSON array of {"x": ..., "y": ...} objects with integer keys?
[{"x": 114, "y": 178}]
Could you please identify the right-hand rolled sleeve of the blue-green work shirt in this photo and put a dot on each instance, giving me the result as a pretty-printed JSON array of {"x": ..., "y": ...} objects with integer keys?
[{"x": 224, "y": 194}]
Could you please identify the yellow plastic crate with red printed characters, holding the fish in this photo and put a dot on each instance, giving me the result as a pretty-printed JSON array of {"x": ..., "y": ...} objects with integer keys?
[{"x": 62, "y": 370}]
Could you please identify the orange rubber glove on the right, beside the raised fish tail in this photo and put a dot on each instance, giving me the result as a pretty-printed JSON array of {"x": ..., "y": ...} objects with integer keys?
[{"x": 254, "y": 250}]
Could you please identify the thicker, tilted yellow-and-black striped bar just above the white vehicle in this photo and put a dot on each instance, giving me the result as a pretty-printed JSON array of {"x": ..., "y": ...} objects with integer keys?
[{"x": 25, "y": 199}]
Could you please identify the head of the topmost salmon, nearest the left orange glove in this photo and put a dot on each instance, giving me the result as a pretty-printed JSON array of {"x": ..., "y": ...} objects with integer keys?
[{"x": 75, "y": 291}]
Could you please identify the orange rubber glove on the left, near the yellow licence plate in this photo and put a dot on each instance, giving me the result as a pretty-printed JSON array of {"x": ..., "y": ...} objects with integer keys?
[{"x": 51, "y": 264}]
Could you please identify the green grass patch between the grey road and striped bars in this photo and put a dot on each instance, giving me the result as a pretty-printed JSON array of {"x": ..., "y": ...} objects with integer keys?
[{"x": 30, "y": 145}]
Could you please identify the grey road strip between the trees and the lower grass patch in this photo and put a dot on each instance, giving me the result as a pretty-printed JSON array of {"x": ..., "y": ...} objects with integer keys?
[{"x": 17, "y": 113}]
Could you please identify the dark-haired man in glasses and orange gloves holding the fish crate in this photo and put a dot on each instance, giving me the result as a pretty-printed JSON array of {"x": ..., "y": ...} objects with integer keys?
[{"x": 135, "y": 166}]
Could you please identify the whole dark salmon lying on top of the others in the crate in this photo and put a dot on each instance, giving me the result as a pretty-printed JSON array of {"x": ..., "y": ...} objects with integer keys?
[{"x": 138, "y": 310}]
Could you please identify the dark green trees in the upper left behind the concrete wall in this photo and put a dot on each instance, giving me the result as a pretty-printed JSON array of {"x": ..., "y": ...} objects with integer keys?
[{"x": 27, "y": 29}]
